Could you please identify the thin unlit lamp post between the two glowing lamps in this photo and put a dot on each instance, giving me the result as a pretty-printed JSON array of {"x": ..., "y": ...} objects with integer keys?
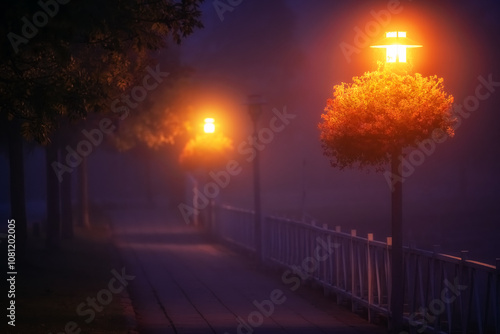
[{"x": 255, "y": 103}]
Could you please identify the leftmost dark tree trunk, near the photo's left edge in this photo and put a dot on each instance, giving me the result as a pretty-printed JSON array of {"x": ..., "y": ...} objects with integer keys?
[{"x": 17, "y": 191}]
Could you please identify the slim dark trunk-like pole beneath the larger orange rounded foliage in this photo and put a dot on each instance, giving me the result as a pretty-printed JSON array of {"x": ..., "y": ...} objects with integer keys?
[{"x": 397, "y": 273}]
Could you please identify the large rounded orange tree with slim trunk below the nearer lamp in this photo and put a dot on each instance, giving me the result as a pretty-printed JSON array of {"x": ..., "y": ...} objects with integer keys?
[{"x": 370, "y": 122}]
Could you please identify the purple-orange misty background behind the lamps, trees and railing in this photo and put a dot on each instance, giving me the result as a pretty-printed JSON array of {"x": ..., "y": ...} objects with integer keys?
[{"x": 290, "y": 53}]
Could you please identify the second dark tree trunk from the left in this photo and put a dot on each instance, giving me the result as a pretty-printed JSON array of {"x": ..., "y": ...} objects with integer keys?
[{"x": 53, "y": 238}]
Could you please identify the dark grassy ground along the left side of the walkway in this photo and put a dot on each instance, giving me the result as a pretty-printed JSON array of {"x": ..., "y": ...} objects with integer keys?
[{"x": 50, "y": 286}]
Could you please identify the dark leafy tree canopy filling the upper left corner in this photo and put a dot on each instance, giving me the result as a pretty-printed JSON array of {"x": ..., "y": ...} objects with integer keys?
[{"x": 85, "y": 55}]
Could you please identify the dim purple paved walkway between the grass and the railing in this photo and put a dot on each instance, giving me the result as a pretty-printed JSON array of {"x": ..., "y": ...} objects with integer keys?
[{"x": 186, "y": 284}]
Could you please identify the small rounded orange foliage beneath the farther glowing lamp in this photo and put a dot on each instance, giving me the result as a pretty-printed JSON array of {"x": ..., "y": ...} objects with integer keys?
[{"x": 206, "y": 151}]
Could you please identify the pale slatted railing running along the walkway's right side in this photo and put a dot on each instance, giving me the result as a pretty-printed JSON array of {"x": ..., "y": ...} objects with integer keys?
[{"x": 443, "y": 293}]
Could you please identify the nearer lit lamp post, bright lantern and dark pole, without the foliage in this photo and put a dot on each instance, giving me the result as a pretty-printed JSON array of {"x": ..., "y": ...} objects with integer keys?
[{"x": 396, "y": 44}]
